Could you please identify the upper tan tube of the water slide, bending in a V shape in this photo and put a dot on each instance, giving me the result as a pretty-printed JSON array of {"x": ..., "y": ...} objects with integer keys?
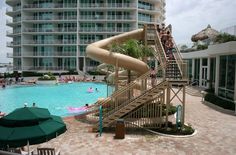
[{"x": 98, "y": 52}]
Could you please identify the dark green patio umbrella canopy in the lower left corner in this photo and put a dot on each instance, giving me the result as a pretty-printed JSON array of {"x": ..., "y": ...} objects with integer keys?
[{"x": 31, "y": 131}]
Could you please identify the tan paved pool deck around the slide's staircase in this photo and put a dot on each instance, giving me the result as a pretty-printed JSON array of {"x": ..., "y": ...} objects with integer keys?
[{"x": 216, "y": 134}]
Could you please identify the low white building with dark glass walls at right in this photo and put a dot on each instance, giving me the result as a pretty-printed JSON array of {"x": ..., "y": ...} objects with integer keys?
[{"x": 215, "y": 68}]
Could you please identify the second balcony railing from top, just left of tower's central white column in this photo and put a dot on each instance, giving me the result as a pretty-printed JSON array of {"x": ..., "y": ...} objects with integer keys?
[{"x": 50, "y": 17}]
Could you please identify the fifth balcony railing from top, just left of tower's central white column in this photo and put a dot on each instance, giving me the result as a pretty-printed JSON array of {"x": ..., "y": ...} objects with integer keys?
[{"x": 53, "y": 54}]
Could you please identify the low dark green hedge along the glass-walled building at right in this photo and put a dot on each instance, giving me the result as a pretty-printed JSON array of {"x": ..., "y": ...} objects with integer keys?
[{"x": 219, "y": 101}]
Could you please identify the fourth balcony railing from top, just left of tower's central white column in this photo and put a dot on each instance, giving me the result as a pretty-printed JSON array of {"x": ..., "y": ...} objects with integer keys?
[{"x": 50, "y": 42}]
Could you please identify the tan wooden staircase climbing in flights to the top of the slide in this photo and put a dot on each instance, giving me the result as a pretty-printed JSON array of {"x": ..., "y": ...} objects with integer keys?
[{"x": 173, "y": 71}]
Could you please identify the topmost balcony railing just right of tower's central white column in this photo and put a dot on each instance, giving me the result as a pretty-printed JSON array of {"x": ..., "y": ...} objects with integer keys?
[{"x": 107, "y": 5}]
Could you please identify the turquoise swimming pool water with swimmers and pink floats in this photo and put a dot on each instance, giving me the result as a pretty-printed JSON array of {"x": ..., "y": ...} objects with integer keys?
[{"x": 56, "y": 98}]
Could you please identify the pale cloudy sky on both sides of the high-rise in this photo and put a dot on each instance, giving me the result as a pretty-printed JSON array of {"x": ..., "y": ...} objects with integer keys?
[{"x": 187, "y": 17}]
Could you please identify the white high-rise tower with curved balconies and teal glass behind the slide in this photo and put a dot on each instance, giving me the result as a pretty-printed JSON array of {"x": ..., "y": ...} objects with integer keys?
[{"x": 51, "y": 35}]
